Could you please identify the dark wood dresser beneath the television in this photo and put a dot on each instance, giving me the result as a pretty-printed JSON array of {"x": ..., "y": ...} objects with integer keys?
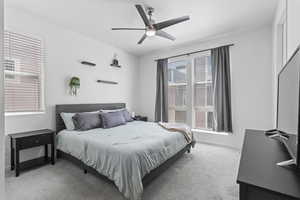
[{"x": 259, "y": 177}]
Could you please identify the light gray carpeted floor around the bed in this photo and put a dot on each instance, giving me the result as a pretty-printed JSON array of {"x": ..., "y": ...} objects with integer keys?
[{"x": 208, "y": 173}]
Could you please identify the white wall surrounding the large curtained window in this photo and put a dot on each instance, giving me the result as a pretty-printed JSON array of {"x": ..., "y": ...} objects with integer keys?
[{"x": 252, "y": 82}]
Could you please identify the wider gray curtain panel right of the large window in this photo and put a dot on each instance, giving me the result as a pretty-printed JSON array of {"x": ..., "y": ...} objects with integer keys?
[{"x": 221, "y": 89}]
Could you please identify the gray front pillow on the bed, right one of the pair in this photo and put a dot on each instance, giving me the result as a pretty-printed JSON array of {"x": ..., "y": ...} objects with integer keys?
[{"x": 112, "y": 119}]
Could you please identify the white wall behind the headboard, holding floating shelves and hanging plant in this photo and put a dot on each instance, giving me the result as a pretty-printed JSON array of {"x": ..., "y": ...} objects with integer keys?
[{"x": 64, "y": 49}]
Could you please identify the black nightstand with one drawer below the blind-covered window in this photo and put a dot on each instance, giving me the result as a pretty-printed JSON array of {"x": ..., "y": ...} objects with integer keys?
[{"x": 26, "y": 140}]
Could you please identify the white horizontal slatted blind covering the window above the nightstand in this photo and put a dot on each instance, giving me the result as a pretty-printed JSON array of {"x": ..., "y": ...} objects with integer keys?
[{"x": 23, "y": 58}]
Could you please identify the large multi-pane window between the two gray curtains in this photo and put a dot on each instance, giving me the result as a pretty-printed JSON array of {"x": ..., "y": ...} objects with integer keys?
[{"x": 190, "y": 91}]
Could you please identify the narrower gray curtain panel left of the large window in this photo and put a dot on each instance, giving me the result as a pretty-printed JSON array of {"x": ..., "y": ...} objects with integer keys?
[{"x": 161, "y": 105}]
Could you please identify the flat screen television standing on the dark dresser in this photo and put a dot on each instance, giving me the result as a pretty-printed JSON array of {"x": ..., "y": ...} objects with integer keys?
[{"x": 288, "y": 105}]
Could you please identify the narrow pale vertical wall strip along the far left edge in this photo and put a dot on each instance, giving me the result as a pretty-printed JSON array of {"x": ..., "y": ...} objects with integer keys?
[{"x": 1, "y": 105}]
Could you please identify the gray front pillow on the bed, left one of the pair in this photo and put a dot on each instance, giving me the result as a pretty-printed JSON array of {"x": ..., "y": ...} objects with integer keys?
[{"x": 86, "y": 121}]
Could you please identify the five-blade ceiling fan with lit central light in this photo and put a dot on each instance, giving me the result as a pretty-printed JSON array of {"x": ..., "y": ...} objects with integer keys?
[{"x": 152, "y": 28}]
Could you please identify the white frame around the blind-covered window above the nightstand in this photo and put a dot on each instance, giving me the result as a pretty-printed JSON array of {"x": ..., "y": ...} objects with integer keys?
[{"x": 42, "y": 109}]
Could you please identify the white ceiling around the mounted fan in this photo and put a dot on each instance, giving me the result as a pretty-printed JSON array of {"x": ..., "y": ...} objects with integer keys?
[{"x": 95, "y": 18}]
